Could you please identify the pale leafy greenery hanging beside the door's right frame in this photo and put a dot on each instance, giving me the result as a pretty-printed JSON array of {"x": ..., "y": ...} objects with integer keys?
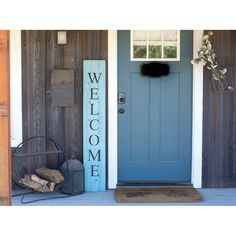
[{"x": 207, "y": 57}]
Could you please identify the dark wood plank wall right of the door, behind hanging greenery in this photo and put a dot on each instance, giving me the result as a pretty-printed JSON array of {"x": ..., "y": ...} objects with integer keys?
[{"x": 219, "y": 118}]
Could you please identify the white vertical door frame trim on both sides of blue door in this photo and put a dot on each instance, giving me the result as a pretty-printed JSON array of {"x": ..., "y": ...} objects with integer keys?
[{"x": 197, "y": 112}]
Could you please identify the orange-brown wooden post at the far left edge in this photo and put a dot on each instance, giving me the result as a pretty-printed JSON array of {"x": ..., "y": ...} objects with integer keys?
[{"x": 5, "y": 156}]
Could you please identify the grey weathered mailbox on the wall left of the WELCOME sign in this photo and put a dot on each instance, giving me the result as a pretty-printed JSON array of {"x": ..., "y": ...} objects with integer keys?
[{"x": 62, "y": 87}]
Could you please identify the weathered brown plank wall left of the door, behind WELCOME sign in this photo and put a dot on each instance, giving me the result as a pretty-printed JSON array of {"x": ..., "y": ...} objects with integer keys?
[{"x": 41, "y": 54}]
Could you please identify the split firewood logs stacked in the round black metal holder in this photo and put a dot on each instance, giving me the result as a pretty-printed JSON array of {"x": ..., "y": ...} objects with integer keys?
[{"x": 44, "y": 180}]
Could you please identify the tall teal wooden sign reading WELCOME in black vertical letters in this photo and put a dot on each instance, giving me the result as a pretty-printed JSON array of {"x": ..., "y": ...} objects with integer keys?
[{"x": 94, "y": 124}]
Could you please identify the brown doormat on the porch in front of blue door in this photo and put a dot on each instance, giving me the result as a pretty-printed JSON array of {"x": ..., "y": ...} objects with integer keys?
[{"x": 157, "y": 194}]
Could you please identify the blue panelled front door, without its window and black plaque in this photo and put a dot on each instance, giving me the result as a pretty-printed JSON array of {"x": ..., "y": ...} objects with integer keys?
[{"x": 154, "y": 122}]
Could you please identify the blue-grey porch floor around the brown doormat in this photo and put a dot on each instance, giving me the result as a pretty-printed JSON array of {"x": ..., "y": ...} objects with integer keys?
[{"x": 211, "y": 197}]
